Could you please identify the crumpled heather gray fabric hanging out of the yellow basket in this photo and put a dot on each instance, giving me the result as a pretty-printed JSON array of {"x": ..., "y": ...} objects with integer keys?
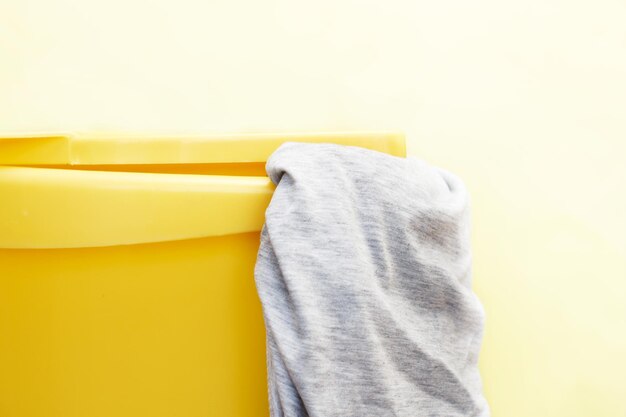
[{"x": 364, "y": 274}]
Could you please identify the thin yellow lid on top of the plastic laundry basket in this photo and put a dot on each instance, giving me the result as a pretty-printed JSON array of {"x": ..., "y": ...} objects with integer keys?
[{"x": 94, "y": 149}]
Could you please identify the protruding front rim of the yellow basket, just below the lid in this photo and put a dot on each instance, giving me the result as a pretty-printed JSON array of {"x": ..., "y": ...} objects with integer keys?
[{"x": 58, "y": 208}]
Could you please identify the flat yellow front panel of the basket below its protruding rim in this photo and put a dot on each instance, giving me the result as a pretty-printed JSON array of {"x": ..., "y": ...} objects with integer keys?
[{"x": 164, "y": 329}]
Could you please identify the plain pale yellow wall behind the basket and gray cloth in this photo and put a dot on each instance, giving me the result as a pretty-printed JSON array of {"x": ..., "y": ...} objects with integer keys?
[{"x": 525, "y": 100}]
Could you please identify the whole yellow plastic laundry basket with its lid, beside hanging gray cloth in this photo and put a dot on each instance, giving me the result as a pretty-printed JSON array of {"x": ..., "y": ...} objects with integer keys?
[{"x": 126, "y": 273}]
